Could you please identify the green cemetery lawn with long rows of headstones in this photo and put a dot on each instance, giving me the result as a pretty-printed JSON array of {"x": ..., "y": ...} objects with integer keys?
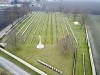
[{"x": 52, "y": 27}]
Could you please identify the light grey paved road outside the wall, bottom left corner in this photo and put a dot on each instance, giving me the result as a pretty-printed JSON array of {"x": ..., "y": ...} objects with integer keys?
[{"x": 15, "y": 70}]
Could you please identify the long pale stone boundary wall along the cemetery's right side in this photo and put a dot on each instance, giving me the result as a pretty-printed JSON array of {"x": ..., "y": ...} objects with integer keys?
[{"x": 90, "y": 53}]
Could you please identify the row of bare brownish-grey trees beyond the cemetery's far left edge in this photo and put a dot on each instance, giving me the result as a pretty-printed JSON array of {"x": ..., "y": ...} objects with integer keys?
[{"x": 13, "y": 13}]
